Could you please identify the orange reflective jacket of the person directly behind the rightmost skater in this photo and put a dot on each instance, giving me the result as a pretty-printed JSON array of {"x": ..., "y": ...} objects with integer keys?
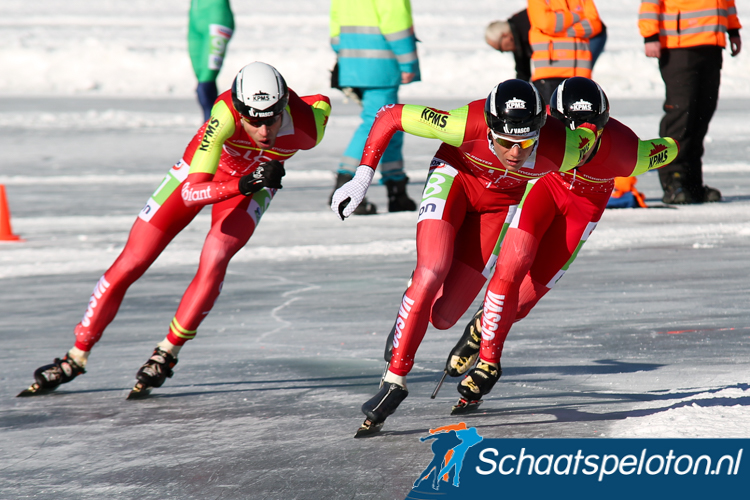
[{"x": 559, "y": 37}]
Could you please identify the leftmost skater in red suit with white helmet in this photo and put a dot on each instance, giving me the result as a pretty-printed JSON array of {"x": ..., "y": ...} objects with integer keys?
[{"x": 235, "y": 163}]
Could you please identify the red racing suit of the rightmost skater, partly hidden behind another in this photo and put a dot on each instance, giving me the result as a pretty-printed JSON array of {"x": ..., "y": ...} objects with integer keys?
[{"x": 555, "y": 219}]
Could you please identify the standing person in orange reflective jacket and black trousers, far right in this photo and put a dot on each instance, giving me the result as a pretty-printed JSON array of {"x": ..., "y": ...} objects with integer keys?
[{"x": 688, "y": 36}]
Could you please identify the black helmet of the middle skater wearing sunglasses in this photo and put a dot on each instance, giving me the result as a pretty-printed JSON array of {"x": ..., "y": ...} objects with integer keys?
[{"x": 514, "y": 107}]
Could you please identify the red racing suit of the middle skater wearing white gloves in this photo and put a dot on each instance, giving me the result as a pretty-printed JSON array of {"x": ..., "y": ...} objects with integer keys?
[{"x": 468, "y": 199}]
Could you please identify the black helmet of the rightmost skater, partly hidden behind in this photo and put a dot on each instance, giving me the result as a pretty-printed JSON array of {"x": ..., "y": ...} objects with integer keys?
[{"x": 579, "y": 100}]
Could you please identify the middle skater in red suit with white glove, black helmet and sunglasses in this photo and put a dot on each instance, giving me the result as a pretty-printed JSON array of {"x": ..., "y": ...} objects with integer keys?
[{"x": 491, "y": 149}]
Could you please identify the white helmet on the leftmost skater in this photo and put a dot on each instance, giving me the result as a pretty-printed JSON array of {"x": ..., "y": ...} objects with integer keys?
[{"x": 259, "y": 91}]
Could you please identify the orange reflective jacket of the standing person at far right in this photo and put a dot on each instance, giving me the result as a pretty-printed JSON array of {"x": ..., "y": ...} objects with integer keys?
[{"x": 688, "y": 23}]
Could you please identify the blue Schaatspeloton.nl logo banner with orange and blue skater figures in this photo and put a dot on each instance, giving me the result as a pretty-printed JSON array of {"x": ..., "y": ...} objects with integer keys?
[{"x": 465, "y": 462}]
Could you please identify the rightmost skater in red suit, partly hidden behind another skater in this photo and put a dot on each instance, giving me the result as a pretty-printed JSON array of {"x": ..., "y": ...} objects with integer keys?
[{"x": 558, "y": 215}]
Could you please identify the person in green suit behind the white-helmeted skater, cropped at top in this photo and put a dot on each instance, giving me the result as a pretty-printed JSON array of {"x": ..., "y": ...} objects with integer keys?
[{"x": 210, "y": 26}]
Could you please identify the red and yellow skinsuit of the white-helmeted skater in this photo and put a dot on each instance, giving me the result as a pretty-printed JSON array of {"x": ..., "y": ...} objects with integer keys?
[{"x": 208, "y": 174}]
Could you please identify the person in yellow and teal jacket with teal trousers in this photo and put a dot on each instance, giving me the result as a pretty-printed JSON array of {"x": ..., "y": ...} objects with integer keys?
[{"x": 377, "y": 52}]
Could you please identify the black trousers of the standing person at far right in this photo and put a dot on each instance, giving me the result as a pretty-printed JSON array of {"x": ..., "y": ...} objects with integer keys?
[{"x": 692, "y": 76}]
